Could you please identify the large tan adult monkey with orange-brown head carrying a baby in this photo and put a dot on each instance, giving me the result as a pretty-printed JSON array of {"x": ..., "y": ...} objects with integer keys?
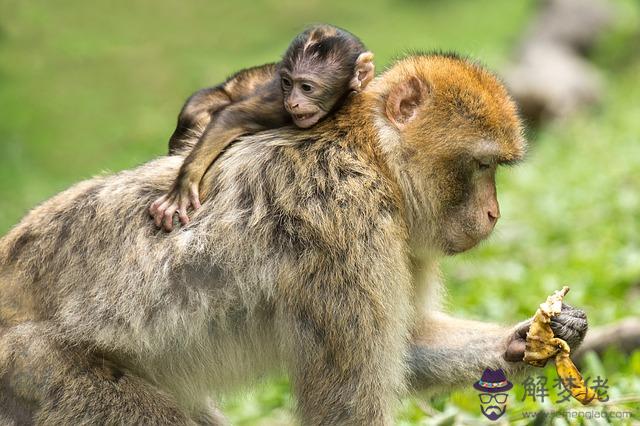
[{"x": 311, "y": 252}]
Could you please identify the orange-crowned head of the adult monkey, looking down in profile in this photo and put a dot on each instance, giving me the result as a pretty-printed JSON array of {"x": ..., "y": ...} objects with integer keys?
[{"x": 446, "y": 125}]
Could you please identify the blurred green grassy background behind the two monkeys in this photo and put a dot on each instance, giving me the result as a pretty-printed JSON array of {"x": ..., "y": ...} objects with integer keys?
[{"x": 88, "y": 87}]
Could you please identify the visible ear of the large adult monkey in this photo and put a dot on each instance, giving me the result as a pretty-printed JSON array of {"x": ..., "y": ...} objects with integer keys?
[{"x": 404, "y": 100}]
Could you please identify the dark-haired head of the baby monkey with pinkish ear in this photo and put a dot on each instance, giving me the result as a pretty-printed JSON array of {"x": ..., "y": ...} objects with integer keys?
[{"x": 320, "y": 67}]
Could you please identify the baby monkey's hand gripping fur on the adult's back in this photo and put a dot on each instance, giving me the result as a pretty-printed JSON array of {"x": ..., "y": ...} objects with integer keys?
[{"x": 182, "y": 196}]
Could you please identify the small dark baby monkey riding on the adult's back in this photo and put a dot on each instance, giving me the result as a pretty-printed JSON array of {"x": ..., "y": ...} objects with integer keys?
[{"x": 319, "y": 69}]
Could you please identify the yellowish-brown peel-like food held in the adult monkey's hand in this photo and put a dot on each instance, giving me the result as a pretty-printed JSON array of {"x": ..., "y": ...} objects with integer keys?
[{"x": 541, "y": 345}]
